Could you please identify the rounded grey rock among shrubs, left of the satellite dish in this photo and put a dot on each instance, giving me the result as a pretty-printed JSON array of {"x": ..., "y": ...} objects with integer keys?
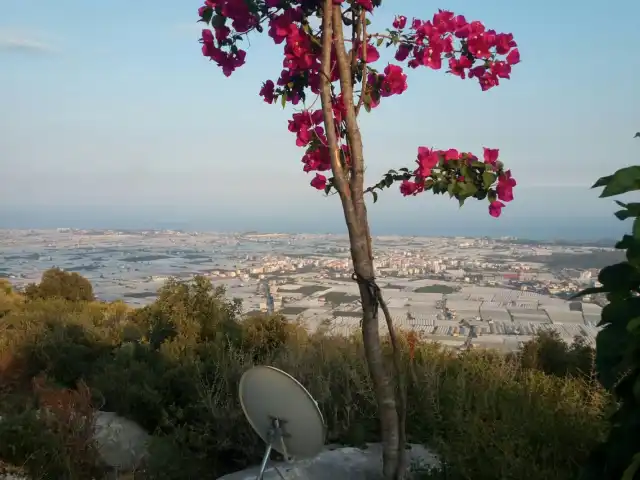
[{"x": 121, "y": 443}]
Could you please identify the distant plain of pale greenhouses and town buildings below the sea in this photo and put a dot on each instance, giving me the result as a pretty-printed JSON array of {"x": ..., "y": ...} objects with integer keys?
[{"x": 473, "y": 292}]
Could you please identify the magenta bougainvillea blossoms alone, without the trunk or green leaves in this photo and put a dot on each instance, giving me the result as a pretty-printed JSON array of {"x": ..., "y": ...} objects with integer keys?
[{"x": 469, "y": 48}]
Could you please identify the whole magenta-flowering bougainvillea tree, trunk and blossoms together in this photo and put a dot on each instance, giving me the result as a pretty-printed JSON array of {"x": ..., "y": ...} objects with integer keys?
[{"x": 321, "y": 60}]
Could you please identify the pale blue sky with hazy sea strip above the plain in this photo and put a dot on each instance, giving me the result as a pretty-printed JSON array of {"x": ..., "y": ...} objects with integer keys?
[{"x": 110, "y": 116}]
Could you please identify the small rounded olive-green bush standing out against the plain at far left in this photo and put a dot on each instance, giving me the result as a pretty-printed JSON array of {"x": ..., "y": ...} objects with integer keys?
[{"x": 56, "y": 283}]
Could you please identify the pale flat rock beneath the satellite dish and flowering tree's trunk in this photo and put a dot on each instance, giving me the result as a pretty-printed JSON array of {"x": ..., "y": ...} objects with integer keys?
[{"x": 346, "y": 463}]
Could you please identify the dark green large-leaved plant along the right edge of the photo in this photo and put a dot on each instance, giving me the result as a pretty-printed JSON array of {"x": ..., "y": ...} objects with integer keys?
[{"x": 618, "y": 343}]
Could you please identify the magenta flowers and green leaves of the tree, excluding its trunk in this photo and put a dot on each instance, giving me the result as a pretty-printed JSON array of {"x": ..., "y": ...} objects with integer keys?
[{"x": 468, "y": 48}]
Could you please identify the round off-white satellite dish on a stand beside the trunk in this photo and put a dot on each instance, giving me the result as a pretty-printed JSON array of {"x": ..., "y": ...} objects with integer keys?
[{"x": 283, "y": 414}]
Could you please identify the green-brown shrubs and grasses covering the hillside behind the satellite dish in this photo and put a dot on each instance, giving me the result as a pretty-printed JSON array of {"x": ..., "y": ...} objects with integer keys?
[{"x": 173, "y": 367}]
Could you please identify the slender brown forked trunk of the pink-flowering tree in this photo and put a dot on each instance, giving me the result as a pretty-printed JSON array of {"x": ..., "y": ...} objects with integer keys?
[{"x": 349, "y": 184}]
